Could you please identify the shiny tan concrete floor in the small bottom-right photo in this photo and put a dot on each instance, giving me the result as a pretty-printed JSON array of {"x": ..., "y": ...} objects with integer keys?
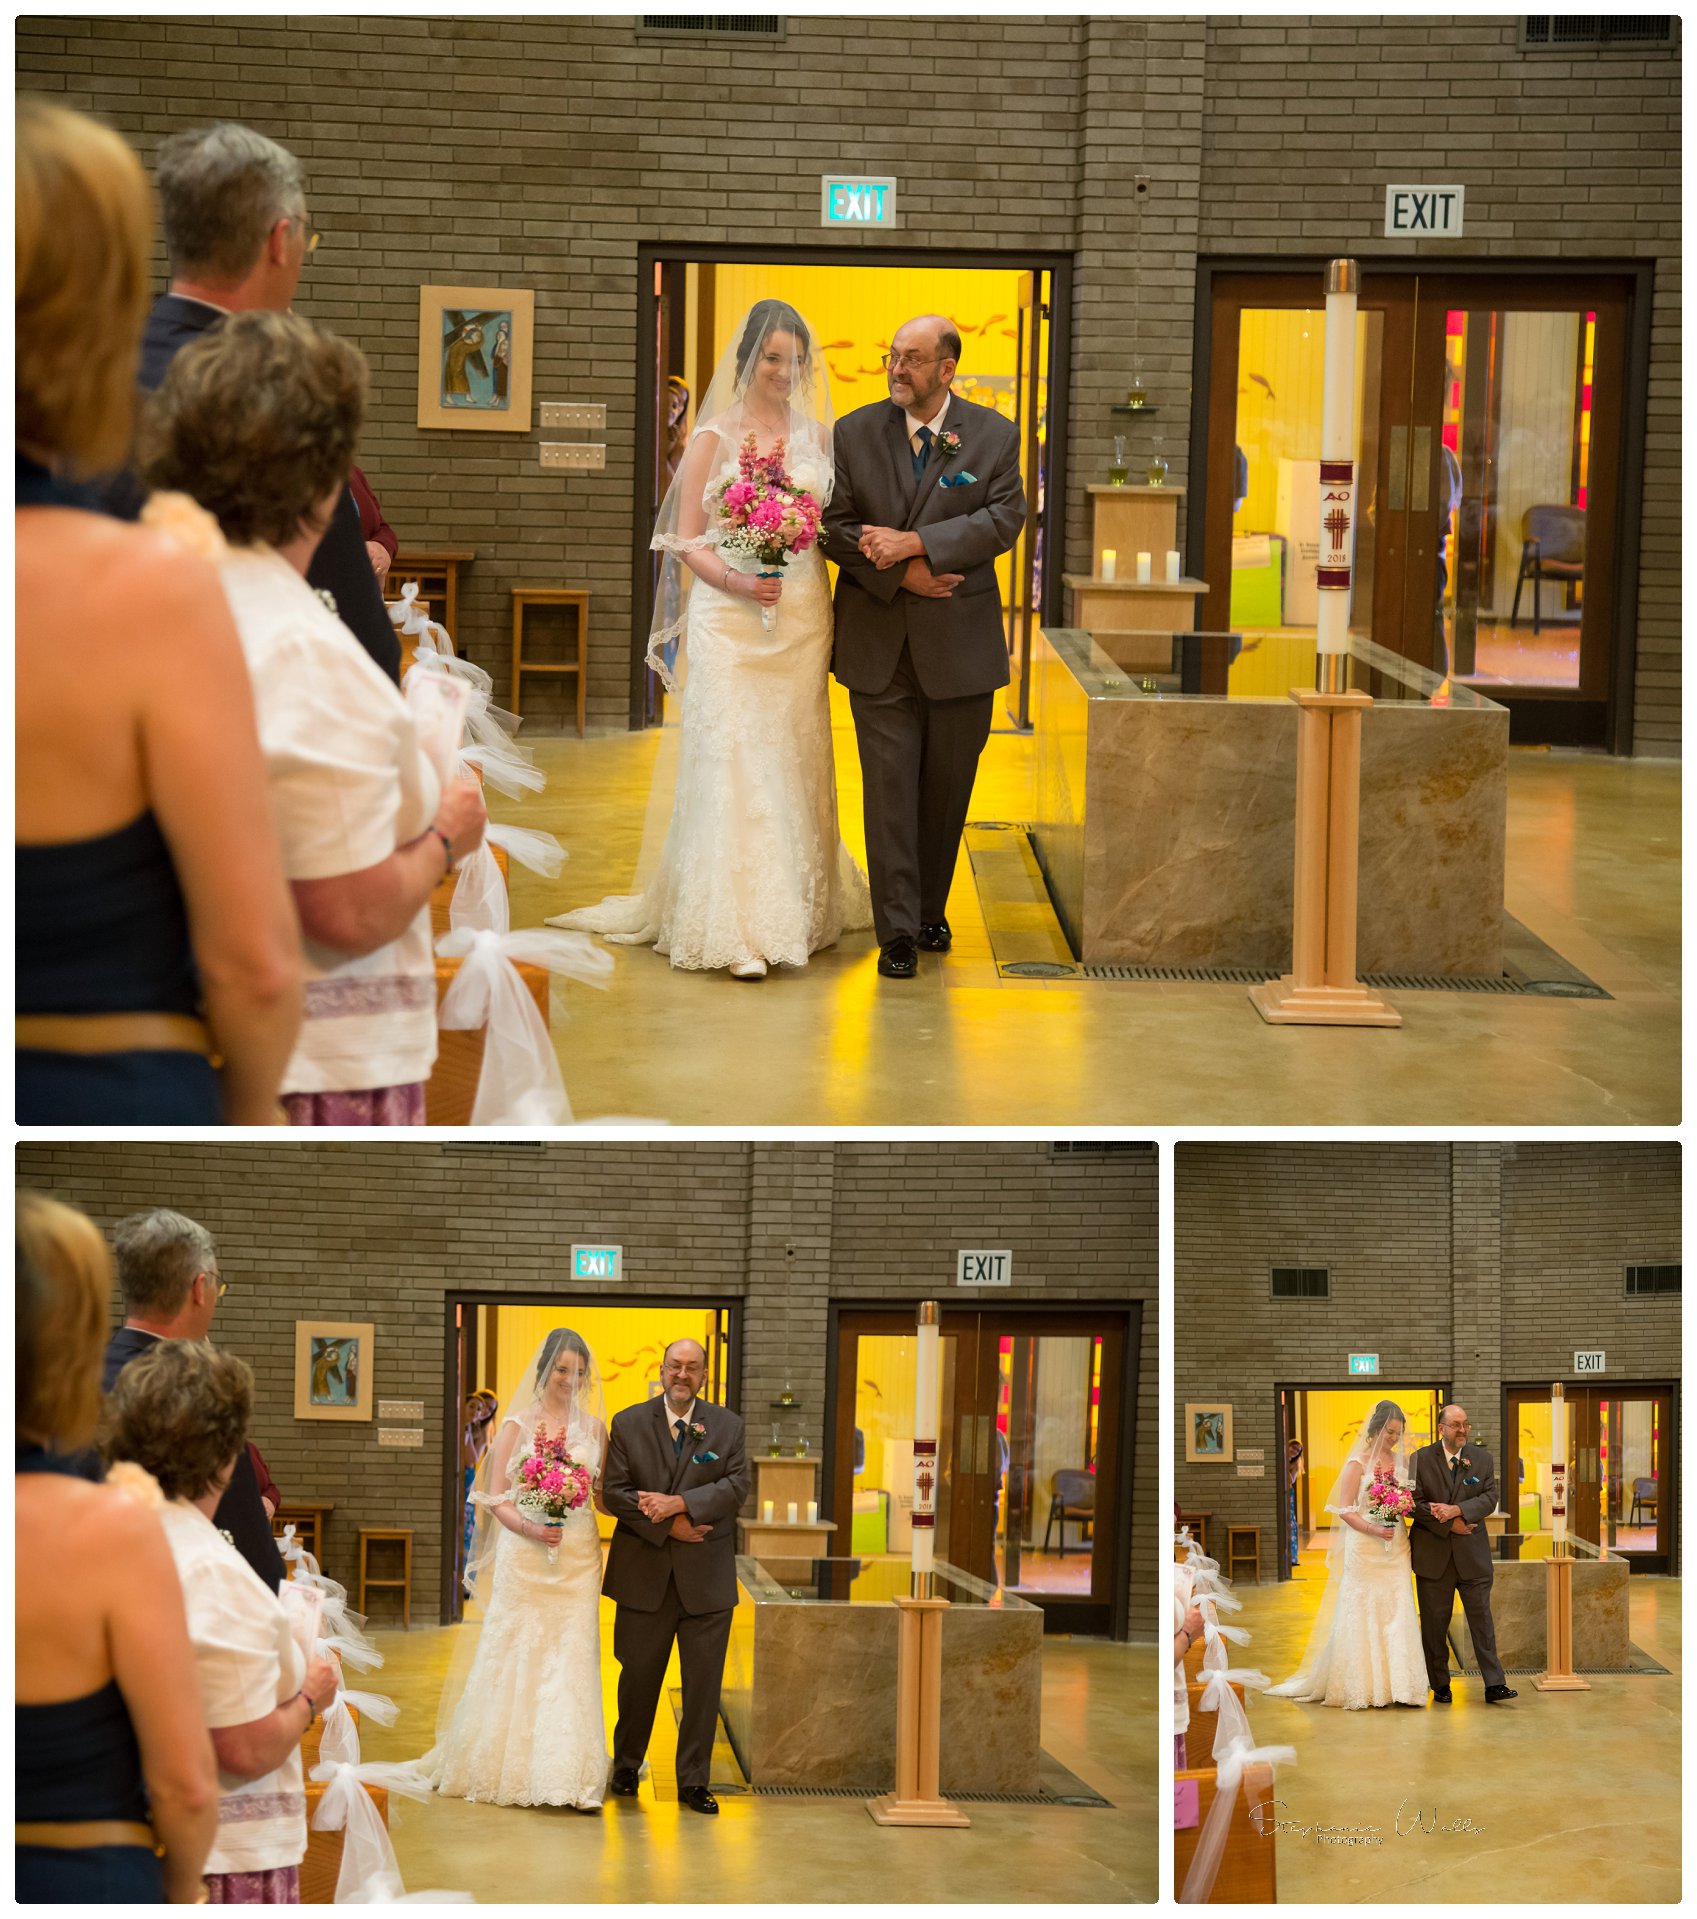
[{"x": 1575, "y": 1795}]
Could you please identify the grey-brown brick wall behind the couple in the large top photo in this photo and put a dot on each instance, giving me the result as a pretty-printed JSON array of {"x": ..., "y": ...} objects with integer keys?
[{"x": 485, "y": 151}]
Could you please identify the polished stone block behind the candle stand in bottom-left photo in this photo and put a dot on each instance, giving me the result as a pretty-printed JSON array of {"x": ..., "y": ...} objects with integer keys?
[{"x": 811, "y": 1686}]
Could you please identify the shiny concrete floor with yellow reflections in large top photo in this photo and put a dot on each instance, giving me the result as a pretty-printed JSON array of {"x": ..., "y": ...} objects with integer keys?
[{"x": 1594, "y": 870}]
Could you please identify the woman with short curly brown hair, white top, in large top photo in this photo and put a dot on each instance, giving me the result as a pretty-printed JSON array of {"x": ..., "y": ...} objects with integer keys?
[{"x": 258, "y": 423}]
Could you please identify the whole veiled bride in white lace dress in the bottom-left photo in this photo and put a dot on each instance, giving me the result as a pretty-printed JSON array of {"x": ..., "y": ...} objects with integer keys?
[{"x": 523, "y": 1726}]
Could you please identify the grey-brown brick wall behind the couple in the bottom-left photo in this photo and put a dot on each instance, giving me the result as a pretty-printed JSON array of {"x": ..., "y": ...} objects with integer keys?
[{"x": 387, "y": 1233}]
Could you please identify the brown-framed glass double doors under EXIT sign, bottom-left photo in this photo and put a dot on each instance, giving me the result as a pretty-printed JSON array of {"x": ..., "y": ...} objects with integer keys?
[{"x": 1032, "y": 1469}]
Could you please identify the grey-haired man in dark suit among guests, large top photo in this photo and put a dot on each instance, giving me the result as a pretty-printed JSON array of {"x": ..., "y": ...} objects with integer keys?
[{"x": 235, "y": 212}]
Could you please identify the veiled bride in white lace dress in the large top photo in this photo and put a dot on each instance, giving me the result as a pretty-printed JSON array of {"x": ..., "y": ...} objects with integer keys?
[{"x": 753, "y": 872}]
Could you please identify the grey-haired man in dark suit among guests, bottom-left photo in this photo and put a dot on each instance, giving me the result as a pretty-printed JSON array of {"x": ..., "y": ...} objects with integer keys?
[{"x": 168, "y": 1271}]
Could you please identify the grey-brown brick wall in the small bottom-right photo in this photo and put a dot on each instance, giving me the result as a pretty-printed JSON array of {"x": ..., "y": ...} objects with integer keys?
[{"x": 1473, "y": 1264}]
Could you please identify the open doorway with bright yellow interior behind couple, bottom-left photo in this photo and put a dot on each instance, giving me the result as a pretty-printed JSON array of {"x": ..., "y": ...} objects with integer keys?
[{"x": 492, "y": 1340}]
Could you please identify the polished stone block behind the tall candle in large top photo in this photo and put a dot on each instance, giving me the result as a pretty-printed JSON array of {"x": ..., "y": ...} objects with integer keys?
[{"x": 1164, "y": 824}]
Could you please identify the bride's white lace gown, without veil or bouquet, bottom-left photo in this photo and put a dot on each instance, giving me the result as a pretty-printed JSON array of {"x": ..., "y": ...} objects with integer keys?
[{"x": 529, "y": 1726}]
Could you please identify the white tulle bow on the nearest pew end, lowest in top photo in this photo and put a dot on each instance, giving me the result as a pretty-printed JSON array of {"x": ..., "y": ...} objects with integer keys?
[{"x": 521, "y": 1079}]
